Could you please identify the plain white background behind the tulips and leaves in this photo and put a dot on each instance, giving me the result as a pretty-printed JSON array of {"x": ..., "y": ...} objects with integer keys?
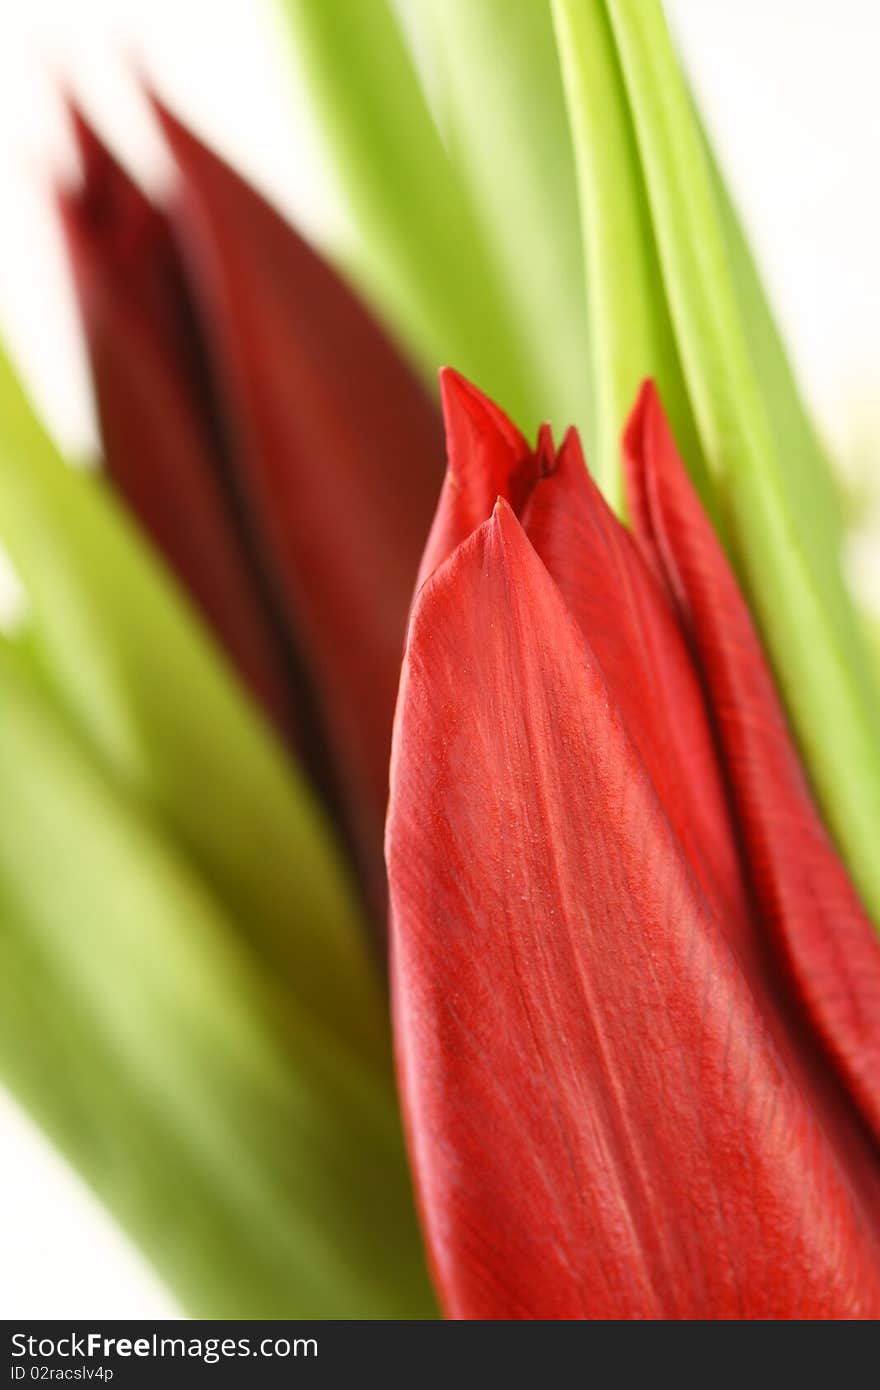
[{"x": 790, "y": 90}]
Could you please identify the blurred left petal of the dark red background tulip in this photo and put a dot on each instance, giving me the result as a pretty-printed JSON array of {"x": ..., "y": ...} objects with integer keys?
[{"x": 161, "y": 437}]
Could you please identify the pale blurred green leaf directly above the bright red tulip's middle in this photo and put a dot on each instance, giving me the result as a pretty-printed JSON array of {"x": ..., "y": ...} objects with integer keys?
[{"x": 493, "y": 76}]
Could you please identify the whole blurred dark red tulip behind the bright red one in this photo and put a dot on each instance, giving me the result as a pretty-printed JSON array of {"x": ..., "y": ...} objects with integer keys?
[{"x": 275, "y": 445}]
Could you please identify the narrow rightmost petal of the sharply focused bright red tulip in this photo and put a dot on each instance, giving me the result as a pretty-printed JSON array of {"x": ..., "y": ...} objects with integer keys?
[{"x": 806, "y": 897}]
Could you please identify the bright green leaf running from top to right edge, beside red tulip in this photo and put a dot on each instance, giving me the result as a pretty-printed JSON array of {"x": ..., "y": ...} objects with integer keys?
[{"x": 771, "y": 487}]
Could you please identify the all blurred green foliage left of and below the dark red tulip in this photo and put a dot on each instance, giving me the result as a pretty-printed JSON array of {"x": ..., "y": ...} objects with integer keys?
[{"x": 188, "y": 1000}]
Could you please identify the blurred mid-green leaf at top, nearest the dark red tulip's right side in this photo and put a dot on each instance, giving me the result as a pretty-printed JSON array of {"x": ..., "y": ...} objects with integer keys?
[{"x": 422, "y": 256}]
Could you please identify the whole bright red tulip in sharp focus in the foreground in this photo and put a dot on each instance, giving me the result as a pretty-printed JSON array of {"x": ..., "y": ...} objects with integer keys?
[{"x": 637, "y": 1003}]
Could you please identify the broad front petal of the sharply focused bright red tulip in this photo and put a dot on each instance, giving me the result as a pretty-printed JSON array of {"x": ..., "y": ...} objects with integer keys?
[{"x": 598, "y": 1120}]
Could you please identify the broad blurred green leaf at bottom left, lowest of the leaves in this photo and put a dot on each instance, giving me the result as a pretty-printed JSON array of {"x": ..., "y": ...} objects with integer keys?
[{"x": 256, "y": 1161}]
